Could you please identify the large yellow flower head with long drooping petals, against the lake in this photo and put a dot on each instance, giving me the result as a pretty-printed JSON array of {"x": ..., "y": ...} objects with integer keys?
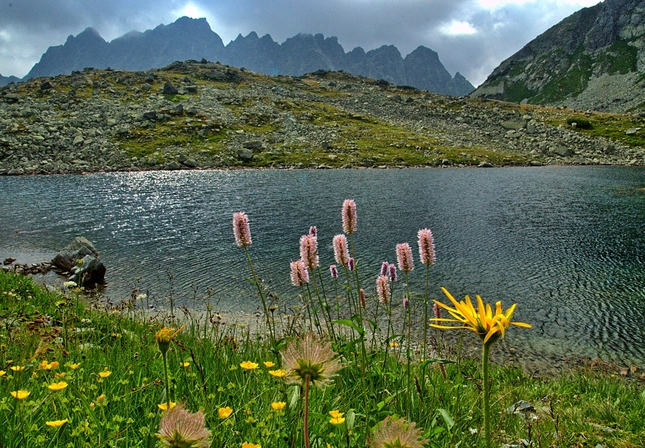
[{"x": 490, "y": 327}]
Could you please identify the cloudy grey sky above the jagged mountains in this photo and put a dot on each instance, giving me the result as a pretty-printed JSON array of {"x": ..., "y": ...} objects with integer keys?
[{"x": 471, "y": 36}]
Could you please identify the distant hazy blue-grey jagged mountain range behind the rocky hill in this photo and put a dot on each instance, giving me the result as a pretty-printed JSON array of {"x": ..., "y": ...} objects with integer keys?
[{"x": 193, "y": 39}]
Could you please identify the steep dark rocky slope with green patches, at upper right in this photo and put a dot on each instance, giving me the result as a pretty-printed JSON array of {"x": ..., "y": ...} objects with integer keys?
[{"x": 594, "y": 59}]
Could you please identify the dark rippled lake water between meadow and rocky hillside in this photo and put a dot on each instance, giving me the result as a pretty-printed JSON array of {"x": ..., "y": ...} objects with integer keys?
[{"x": 567, "y": 244}]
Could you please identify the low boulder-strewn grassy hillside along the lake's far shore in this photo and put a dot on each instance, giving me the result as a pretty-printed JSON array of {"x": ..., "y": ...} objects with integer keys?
[{"x": 193, "y": 115}]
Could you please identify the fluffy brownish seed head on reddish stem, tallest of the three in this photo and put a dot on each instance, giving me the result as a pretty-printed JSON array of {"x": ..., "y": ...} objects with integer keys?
[{"x": 310, "y": 359}]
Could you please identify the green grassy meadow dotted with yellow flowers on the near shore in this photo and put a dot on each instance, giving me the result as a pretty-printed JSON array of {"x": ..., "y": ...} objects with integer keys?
[{"x": 580, "y": 408}]
